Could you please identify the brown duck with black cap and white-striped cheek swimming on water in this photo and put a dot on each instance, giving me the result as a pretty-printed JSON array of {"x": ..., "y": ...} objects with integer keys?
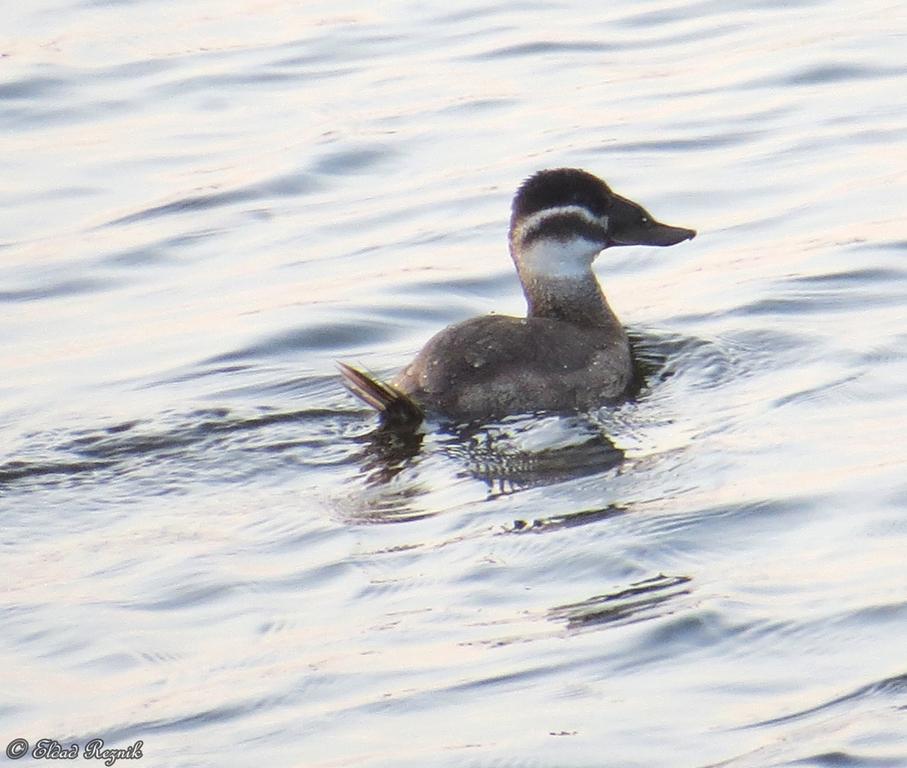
[{"x": 570, "y": 352}]
